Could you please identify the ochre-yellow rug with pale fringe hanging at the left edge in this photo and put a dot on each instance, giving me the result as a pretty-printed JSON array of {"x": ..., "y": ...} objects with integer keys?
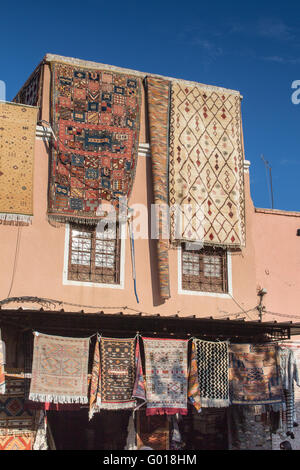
[{"x": 17, "y": 140}]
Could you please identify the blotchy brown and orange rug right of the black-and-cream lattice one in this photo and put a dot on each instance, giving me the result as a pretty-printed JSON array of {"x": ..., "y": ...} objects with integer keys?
[{"x": 254, "y": 374}]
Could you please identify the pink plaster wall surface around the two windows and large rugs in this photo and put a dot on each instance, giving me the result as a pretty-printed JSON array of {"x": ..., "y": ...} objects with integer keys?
[{"x": 35, "y": 266}]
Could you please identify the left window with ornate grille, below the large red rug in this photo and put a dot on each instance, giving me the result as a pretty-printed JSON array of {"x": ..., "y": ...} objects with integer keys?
[{"x": 94, "y": 256}]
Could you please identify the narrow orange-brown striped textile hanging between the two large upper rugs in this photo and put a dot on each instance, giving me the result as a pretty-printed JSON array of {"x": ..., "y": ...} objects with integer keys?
[{"x": 158, "y": 101}]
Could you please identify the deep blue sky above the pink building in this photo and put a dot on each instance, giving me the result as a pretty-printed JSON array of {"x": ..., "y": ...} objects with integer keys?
[{"x": 253, "y": 47}]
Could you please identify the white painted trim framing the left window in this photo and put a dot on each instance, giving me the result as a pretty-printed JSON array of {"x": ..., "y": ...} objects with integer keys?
[{"x": 68, "y": 282}]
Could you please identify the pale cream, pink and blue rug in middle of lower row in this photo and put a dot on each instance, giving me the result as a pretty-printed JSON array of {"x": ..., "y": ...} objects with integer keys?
[{"x": 166, "y": 376}]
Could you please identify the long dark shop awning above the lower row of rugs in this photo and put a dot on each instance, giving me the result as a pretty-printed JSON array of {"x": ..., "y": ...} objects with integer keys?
[{"x": 121, "y": 324}]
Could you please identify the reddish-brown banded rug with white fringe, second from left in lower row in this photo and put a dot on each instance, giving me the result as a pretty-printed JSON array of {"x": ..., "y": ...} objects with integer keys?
[{"x": 117, "y": 373}]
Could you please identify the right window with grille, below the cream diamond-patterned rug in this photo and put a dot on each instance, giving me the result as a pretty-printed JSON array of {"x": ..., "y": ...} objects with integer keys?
[{"x": 204, "y": 270}]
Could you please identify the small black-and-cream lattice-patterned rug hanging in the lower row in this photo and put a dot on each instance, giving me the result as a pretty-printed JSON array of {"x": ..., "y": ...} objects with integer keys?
[{"x": 213, "y": 376}]
